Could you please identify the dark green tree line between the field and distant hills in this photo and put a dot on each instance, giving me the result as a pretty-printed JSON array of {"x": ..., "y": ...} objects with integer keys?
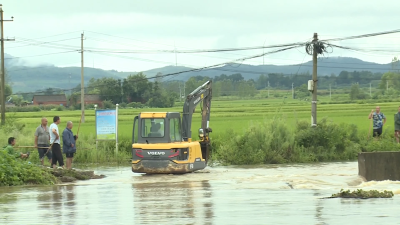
[{"x": 139, "y": 89}]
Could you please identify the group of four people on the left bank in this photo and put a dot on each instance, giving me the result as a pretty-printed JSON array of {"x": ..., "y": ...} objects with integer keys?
[{"x": 47, "y": 141}]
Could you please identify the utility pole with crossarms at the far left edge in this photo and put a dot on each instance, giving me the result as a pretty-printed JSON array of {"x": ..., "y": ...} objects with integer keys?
[{"x": 3, "y": 72}]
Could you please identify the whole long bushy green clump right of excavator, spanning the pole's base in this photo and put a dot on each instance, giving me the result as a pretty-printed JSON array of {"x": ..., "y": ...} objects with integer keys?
[{"x": 277, "y": 141}]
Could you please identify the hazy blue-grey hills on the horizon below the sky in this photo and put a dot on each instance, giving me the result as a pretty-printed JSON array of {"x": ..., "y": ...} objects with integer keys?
[{"x": 26, "y": 78}]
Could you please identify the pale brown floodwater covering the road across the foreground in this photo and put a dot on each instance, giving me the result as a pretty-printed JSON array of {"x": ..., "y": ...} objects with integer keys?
[{"x": 273, "y": 194}]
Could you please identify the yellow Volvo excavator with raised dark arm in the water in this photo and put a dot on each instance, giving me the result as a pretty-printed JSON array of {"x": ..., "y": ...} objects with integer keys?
[{"x": 164, "y": 142}]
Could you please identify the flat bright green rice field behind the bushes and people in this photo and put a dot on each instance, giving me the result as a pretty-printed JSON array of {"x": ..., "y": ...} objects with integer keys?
[{"x": 225, "y": 114}]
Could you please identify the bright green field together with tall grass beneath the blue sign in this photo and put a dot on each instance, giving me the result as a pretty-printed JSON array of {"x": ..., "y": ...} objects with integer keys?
[{"x": 226, "y": 115}]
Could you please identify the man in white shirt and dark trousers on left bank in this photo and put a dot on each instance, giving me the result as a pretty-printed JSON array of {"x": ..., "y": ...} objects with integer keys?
[{"x": 55, "y": 143}]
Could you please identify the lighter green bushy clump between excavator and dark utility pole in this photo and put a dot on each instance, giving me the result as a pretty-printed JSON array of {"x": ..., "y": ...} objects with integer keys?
[{"x": 271, "y": 141}]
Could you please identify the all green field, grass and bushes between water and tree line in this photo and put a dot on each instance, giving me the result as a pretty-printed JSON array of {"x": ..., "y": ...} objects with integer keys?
[{"x": 245, "y": 131}]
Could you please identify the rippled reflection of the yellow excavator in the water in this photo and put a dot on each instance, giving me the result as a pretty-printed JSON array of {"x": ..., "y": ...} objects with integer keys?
[{"x": 165, "y": 202}]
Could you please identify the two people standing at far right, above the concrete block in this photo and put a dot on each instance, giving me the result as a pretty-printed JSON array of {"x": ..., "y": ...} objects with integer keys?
[{"x": 379, "y": 120}]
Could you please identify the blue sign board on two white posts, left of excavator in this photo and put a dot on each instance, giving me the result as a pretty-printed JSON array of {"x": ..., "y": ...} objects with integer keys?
[{"x": 107, "y": 125}]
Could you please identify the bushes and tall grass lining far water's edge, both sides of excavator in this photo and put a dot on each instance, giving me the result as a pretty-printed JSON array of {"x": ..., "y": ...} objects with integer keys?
[{"x": 270, "y": 141}]
